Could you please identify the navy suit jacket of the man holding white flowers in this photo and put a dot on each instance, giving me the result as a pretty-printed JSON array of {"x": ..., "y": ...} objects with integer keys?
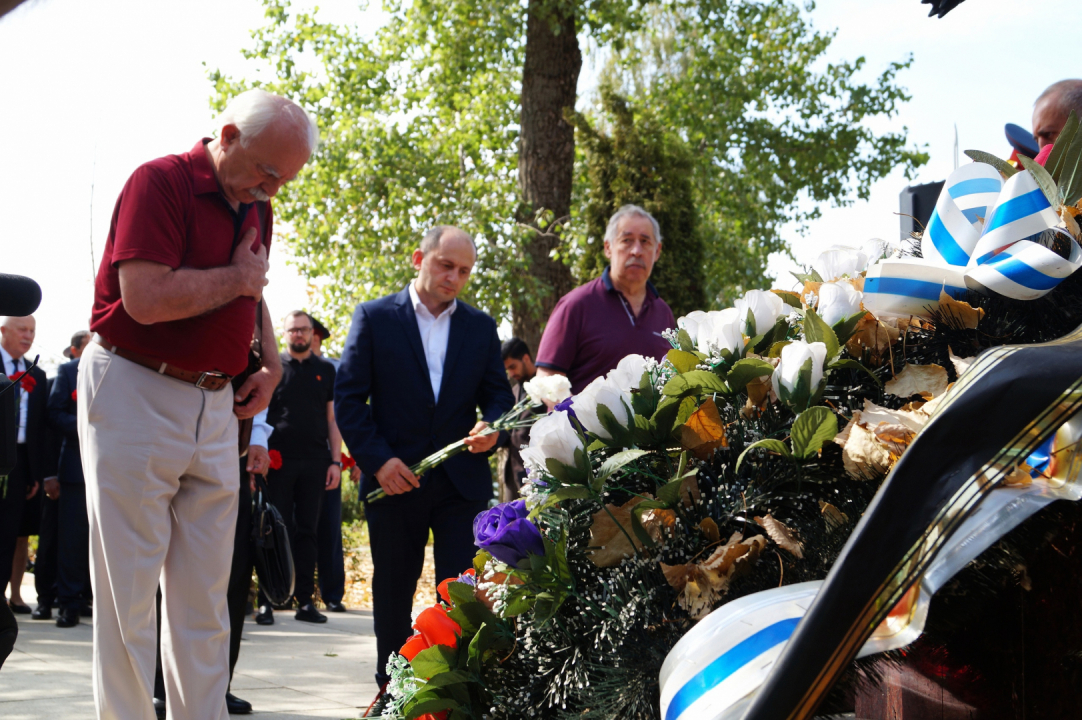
[{"x": 384, "y": 400}]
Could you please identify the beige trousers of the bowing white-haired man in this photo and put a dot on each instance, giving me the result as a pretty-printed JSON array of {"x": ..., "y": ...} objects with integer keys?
[{"x": 161, "y": 463}]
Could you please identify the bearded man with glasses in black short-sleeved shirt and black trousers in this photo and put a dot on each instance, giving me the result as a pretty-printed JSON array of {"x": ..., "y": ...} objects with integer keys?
[{"x": 307, "y": 437}]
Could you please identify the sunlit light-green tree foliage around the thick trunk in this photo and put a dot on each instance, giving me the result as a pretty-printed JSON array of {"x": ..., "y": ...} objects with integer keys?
[{"x": 421, "y": 121}]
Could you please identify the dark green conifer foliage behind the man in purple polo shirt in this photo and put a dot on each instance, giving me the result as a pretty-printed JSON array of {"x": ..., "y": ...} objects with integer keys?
[{"x": 641, "y": 163}]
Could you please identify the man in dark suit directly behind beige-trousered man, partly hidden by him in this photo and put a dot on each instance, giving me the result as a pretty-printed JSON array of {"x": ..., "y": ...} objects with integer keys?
[{"x": 73, "y": 577}]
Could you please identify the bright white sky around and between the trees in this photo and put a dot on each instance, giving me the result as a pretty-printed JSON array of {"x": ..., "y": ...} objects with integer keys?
[{"x": 95, "y": 88}]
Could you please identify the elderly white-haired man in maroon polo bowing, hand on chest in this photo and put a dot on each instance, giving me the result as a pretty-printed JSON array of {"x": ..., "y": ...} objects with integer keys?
[{"x": 175, "y": 312}]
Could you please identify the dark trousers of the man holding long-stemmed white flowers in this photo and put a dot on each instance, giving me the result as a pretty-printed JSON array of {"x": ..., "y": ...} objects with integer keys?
[{"x": 399, "y": 531}]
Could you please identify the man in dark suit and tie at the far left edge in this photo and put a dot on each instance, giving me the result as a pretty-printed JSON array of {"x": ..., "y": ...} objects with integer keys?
[{"x": 33, "y": 461}]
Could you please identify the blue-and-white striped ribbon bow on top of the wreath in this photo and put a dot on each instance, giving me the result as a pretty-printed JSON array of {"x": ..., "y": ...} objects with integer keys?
[{"x": 981, "y": 237}]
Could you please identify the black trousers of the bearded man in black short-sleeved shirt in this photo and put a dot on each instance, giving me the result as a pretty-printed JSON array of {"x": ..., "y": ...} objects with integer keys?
[{"x": 297, "y": 490}]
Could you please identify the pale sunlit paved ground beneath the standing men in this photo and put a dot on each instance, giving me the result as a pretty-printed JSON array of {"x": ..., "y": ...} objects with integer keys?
[{"x": 288, "y": 671}]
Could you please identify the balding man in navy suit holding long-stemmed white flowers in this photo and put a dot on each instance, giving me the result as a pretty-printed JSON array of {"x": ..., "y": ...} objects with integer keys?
[{"x": 417, "y": 368}]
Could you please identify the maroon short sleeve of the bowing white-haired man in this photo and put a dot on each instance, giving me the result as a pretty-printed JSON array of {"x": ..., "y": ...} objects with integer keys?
[{"x": 151, "y": 219}]
